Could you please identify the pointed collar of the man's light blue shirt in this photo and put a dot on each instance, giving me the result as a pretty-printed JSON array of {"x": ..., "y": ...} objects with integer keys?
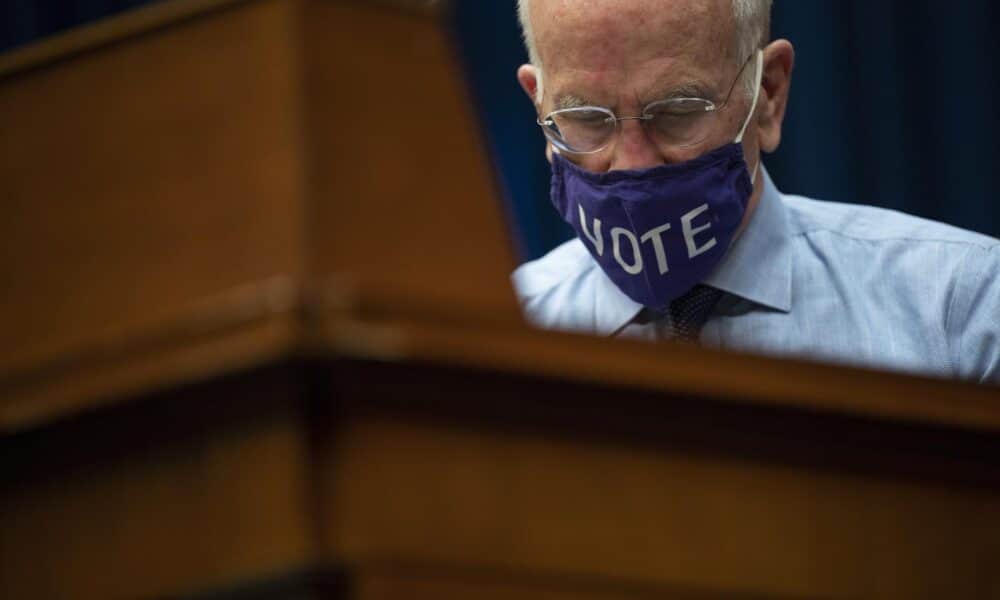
[{"x": 758, "y": 268}]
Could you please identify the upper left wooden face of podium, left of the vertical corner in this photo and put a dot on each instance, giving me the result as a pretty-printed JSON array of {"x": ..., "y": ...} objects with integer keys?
[{"x": 140, "y": 182}]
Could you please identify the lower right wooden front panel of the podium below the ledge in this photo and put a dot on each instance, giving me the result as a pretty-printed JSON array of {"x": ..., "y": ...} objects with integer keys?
[{"x": 593, "y": 516}]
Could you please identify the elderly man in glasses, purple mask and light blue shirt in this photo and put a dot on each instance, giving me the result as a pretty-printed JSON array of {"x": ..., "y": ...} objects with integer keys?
[{"x": 656, "y": 113}]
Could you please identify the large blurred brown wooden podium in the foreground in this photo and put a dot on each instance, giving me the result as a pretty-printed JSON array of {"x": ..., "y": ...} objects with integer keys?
[{"x": 258, "y": 342}]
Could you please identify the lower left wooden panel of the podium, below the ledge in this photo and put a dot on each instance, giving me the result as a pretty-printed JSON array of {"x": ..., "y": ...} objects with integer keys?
[{"x": 173, "y": 495}]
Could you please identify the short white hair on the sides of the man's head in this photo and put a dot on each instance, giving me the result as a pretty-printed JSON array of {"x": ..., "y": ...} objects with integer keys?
[{"x": 753, "y": 28}]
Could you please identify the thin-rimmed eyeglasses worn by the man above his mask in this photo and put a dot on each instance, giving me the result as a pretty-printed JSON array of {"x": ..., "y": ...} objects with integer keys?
[{"x": 672, "y": 123}]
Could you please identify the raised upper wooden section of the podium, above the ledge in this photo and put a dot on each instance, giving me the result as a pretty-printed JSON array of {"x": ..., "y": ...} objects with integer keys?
[{"x": 229, "y": 168}]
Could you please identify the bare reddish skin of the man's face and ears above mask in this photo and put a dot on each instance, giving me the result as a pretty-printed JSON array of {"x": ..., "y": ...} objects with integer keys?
[{"x": 624, "y": 54}]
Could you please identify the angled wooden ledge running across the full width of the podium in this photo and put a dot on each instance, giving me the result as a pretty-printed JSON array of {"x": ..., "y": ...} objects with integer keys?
[{"x": 278, "y": 319}]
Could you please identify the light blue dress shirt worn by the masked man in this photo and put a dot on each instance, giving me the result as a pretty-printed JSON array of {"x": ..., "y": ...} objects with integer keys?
[{"x": 820, "y": 280}]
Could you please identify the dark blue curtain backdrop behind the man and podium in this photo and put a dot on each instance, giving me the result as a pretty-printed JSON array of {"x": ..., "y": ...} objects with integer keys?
[{"x": 894, "y": 103}]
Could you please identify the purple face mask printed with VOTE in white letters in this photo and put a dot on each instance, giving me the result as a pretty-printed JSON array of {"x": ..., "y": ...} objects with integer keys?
[{"x": 658, "y": 232}]
